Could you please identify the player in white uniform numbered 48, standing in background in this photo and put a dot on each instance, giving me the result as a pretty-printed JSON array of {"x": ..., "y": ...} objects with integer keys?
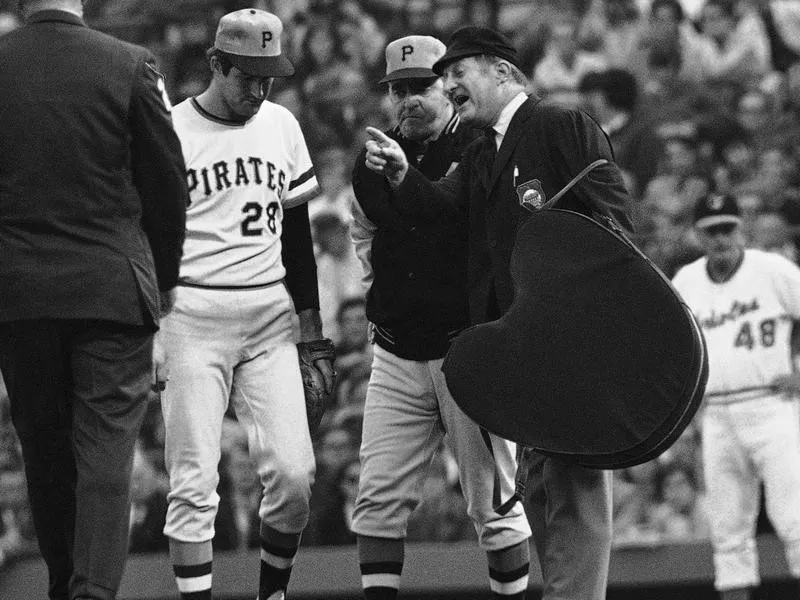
[{"x": 745, "y": 301}]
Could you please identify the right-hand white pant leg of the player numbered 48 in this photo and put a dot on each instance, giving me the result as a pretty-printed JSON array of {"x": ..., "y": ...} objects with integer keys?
[{"x": 774, "y": 433}]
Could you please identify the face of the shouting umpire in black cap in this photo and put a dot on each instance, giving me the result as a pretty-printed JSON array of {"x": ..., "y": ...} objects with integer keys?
[{"x": 472, "y": 85}]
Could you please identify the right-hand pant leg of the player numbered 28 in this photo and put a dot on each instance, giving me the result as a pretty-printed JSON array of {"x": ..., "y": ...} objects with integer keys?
[{"x": 270, "y": 403}]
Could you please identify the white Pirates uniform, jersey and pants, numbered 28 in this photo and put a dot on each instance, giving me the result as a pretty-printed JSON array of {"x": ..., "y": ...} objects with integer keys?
[{"x": 229, "y": 336}]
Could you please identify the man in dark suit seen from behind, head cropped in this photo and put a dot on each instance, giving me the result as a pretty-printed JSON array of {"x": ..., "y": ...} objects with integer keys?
[{"x": 92, "y": 218}]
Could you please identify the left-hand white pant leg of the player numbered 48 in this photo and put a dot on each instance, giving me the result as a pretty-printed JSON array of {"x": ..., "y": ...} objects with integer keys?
[{"x": 733, "y": 500}]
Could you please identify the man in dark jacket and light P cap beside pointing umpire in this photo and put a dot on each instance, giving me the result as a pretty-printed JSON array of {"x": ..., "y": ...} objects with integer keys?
[{"x": 417, "y": 303}]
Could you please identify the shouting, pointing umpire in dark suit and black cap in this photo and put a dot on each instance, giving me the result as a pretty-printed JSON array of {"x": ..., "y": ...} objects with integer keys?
[{"x": 530, "y": 151}]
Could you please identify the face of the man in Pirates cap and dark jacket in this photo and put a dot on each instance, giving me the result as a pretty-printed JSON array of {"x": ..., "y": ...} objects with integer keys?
[{"x": 418, "y": 106}]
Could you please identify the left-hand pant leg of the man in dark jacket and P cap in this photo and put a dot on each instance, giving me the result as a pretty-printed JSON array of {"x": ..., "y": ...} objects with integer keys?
[{"x": 401, "y": 432}]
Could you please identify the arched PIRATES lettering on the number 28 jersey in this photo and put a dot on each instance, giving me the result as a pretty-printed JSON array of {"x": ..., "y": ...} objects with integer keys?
[{"x": 223, "y": 175}]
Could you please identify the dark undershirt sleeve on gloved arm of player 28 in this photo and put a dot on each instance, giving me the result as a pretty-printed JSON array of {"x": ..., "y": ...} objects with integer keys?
[{"x": 297, "y": 252}]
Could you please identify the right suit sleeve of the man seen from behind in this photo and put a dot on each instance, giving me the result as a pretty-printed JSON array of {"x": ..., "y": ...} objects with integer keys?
[{"x": 159, "y": 173}]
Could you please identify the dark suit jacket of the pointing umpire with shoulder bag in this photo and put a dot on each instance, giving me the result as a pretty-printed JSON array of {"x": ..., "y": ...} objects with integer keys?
[{"x": 548, "y": 143}]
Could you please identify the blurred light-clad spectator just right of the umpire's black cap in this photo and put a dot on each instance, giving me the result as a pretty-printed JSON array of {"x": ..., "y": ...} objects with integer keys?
[{"x": 564, "y": 64}]
